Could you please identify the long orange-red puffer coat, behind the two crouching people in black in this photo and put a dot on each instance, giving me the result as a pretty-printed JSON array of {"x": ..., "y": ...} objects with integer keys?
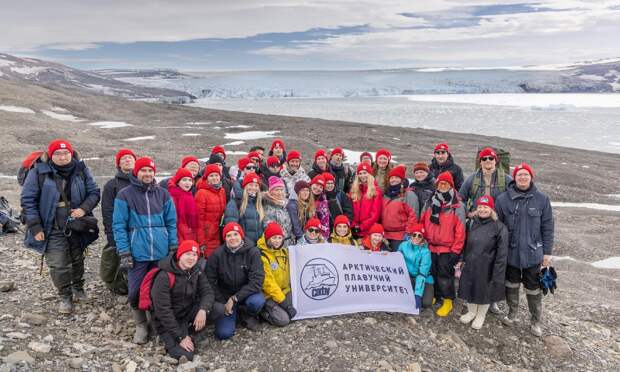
[{"x": 211, "y": 205}]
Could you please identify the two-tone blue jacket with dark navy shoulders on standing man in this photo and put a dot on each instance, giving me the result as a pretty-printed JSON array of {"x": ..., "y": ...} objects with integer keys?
[{"x": 144, "y": 221}]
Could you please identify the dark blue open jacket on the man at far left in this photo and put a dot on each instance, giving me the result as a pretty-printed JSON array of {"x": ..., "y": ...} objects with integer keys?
[{"x": 39, "y": 204}]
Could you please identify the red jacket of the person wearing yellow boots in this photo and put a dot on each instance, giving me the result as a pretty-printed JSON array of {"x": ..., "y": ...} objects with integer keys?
[{"x": 449, "y": 235}]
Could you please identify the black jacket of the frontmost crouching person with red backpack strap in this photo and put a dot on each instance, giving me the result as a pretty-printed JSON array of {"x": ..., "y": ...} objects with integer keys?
[{"x": 172, "y": 307}]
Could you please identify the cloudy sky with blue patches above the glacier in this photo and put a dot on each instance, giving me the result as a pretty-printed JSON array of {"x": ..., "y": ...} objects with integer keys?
[{"x": 310, "y": 34}]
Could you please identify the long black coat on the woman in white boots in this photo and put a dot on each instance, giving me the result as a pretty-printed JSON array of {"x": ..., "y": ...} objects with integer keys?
[{"x": 485, "y": 255}]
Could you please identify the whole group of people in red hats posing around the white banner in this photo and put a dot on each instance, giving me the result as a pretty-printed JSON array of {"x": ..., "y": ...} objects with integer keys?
[{"x": 222, "y": 233}]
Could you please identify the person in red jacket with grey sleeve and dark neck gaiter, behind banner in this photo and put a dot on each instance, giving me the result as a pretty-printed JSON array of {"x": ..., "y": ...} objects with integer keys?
[{"x": 400, "y": 206}]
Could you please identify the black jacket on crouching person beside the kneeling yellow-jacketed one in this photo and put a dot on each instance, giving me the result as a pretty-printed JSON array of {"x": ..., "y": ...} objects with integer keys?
[{"x": 240, "y": 274}]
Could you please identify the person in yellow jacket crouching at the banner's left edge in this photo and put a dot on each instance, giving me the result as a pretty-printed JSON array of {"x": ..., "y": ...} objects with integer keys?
[{"x": 278, "y": 308}]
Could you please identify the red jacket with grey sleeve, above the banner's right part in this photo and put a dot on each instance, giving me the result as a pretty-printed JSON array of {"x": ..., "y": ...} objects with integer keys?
[{"x": 397, "y": 214}]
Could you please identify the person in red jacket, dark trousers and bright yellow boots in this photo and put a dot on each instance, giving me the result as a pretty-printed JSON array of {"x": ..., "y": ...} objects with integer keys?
[{"x": 444, "y": 222}]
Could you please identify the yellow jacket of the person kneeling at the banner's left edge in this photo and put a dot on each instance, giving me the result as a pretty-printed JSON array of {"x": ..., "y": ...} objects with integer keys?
[{"x": 277, "y": 279}]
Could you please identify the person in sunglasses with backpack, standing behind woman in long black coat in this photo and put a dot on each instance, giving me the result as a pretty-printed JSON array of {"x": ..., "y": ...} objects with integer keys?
[{"x": 489, "y": 180}]
